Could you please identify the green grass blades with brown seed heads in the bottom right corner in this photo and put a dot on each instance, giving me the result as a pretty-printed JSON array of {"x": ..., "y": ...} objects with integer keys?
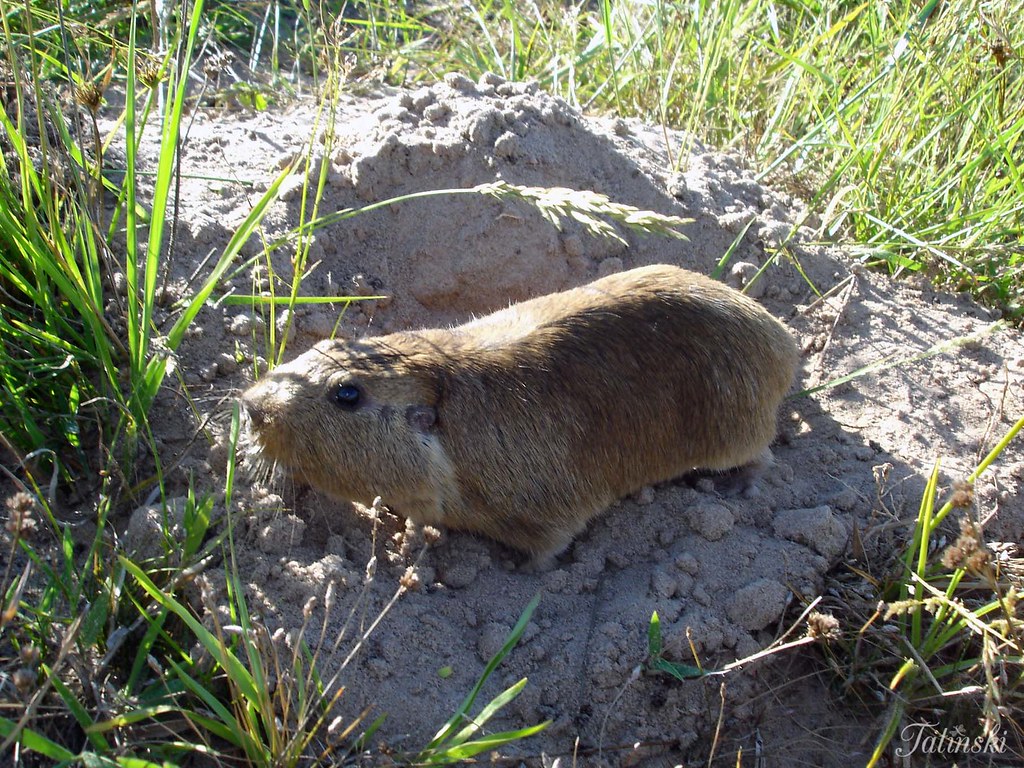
[{"x": 958, "y": 619}]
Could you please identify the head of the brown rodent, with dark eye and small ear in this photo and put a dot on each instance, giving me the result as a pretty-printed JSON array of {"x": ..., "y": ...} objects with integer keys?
[{"x": 355, "y": 419}]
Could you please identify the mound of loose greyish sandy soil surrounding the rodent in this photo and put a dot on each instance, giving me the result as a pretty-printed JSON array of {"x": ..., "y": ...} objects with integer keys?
[{"x": 729, "y": 573}]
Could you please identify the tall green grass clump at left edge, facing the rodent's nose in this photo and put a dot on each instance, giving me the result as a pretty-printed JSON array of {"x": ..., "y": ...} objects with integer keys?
[{"x": 76, "y": 350}]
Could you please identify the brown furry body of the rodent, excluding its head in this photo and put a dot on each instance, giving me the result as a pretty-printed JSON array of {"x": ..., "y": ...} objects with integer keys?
[{"x": 631, "y": 380}]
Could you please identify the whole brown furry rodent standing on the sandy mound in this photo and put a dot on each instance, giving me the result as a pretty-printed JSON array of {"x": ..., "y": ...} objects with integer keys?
[{"x": 527, "y": 423}]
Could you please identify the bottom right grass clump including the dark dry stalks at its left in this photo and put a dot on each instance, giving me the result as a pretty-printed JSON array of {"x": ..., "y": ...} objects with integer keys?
[{"x": 935, "y": 633}]
